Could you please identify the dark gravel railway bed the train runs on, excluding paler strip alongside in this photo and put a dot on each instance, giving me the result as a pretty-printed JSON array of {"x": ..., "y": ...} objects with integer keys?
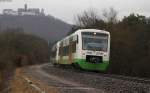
[{"x": 107, "y": 82}]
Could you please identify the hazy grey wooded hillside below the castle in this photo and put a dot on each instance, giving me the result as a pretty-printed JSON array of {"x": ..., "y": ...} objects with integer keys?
[{"x": 47, "y": 27}]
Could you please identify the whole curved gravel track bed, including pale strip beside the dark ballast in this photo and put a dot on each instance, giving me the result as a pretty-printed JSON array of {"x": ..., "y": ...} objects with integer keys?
[{"x": 80, "y": 81}]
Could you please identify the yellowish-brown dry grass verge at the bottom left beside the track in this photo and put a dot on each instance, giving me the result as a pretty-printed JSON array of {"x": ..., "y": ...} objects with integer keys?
[{"x": 20, "y": 85}]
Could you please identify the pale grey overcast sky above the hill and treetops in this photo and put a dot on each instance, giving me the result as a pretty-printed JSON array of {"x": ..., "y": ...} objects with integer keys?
[{"x": 67, "y": 9}]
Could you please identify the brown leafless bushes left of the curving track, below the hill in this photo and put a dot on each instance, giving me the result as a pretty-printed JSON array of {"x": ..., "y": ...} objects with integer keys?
[{"x": 18, "y": 49}]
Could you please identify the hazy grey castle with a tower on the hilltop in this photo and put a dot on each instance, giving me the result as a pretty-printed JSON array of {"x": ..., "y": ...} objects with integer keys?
[{"x": 24, "y": 11}]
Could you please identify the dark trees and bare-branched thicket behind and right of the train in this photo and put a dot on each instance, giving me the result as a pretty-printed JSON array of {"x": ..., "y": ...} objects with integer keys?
[{"x": 130, "y": 40}]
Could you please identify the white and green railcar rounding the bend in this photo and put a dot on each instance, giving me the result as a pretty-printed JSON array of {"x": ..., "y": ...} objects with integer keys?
[{"x": 88, "y": 49}]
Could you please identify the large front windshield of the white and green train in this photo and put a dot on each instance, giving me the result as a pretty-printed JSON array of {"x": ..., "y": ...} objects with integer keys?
[{"x": 94, "y": 41}]
